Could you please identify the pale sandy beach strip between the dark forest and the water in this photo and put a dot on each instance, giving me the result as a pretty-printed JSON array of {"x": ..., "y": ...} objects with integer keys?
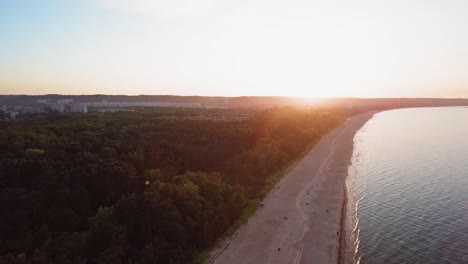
[{"x": 300, "y": 221}]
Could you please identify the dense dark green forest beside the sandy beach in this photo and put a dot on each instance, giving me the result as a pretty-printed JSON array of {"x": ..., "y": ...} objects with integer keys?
[{"x": 151, "y": 186}]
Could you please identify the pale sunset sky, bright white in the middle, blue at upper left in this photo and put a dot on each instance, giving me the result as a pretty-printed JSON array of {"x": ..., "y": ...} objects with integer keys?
[{"x": 305, "y": 48}]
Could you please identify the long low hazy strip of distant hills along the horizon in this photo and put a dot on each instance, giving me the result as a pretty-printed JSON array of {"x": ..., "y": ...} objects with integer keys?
[{"x": 244, "y": 101}]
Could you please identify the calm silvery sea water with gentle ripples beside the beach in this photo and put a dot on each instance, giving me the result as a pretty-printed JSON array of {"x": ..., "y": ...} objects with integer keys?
[{"x": 408, "y": 188}]
